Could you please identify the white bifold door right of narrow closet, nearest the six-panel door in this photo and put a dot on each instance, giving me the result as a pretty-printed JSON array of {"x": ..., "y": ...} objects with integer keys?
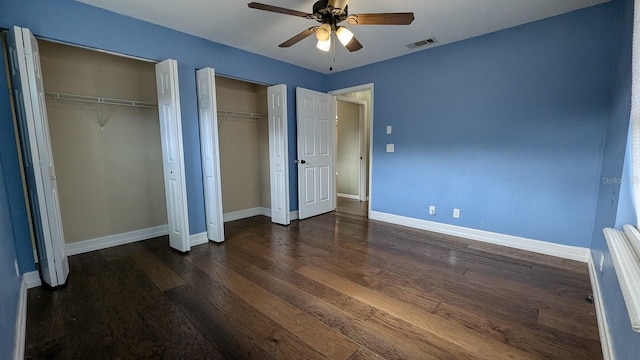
[{"x": 278, "y": 154}]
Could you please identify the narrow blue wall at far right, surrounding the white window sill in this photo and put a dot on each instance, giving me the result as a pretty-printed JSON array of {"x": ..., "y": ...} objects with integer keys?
[{"x": 615, "y": 206}]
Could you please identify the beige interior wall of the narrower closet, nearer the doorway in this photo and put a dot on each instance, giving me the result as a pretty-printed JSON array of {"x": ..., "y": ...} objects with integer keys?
[{"x": 244, "y": 146}]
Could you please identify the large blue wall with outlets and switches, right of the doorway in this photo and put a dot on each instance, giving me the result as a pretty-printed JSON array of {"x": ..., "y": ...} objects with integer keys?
[{"x": 507, "y": 127}]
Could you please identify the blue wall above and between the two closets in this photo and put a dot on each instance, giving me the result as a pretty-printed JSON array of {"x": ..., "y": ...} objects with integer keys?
[{"x": 77, "y": 23}]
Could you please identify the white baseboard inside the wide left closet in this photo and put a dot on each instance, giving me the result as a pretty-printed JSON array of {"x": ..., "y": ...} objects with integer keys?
[{"x": 115, "y": 240}]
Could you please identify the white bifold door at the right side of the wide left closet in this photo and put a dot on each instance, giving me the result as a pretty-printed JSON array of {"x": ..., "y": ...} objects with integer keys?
[{"x": 172, "y": 154}]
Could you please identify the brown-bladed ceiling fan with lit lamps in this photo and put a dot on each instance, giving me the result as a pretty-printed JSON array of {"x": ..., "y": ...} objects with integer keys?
[{"x": 330, "y": 13}]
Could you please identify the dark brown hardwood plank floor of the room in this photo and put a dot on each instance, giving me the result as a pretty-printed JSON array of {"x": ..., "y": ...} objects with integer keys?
[{"x": 336, "y": 286}]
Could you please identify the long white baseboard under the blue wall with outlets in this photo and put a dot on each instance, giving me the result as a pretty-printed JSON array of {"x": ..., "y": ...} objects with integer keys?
[{"x": 542, "y": 247}]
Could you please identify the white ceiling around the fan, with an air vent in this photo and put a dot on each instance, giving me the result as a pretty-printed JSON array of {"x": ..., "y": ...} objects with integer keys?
[{"x": 232, "y": 23}]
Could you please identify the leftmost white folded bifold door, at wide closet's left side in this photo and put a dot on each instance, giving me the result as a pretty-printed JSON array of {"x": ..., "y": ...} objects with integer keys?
[{"x": 31, "y": 110}]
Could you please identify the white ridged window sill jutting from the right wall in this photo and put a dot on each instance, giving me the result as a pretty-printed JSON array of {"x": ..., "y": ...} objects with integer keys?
[{"x": 625, "y": 252}]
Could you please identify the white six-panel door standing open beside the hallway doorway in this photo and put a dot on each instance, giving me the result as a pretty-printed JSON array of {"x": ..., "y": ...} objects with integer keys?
[{"x": 316, "y": 155}]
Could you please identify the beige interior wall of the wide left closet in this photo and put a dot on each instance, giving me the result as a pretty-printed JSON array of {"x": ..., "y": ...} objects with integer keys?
[{"x": 108, "y": 158}]
